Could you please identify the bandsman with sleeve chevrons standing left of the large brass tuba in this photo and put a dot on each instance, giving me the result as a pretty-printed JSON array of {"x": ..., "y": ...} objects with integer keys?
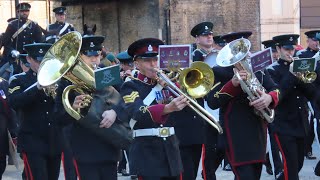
[{"x": 39, "y": 137}]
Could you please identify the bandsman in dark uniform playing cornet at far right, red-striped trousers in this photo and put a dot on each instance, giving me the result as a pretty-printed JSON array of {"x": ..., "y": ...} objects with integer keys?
[{"x": 291, "y": 115}]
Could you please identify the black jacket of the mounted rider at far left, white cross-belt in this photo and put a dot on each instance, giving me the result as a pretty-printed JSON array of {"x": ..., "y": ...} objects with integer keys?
[{"x": 31, "y": 34}]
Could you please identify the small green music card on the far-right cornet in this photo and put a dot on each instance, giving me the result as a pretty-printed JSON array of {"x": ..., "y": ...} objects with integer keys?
[{"x": 303, "y": 65}]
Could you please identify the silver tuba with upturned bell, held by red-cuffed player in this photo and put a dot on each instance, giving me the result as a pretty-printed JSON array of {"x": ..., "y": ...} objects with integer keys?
[{"x": 235, "y": 53}]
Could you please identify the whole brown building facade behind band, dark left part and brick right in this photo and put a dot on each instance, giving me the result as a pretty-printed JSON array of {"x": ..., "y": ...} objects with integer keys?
[{"x": 125, "y": 21}]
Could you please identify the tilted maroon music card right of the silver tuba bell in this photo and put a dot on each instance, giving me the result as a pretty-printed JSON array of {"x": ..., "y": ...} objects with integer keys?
[{"x": 261, "y": 60}]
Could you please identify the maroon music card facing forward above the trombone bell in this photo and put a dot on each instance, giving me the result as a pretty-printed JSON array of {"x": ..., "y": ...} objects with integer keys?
[{"x": 174, "y": 57}]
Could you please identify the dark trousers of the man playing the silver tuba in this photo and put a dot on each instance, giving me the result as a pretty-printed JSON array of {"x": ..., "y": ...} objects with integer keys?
[{"x": 247, "y": 172}]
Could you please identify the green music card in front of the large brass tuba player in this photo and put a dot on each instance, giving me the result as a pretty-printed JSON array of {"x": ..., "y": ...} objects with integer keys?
[{"x": 107, "y": 76}]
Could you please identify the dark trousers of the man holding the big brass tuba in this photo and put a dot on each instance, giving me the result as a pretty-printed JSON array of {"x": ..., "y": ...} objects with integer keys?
[{"x": 97, "y": 171}]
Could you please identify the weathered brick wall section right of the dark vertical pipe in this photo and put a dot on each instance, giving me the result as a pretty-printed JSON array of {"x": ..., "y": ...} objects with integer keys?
[{"x": 226, "y": 15}]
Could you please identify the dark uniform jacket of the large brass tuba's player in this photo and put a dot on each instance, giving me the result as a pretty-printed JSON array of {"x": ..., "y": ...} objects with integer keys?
[{"x": 86, "y": 146}]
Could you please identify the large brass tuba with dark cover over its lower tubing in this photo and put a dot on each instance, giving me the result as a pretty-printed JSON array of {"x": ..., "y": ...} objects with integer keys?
[{"x": 63, "y": 60}]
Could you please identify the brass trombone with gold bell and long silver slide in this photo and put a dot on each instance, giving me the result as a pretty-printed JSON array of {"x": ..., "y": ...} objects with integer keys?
[{"x": 199, "y": 81}]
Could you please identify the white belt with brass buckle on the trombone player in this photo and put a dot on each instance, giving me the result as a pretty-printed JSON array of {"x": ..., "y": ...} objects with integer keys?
[{"x": 158, "y": 132}]
